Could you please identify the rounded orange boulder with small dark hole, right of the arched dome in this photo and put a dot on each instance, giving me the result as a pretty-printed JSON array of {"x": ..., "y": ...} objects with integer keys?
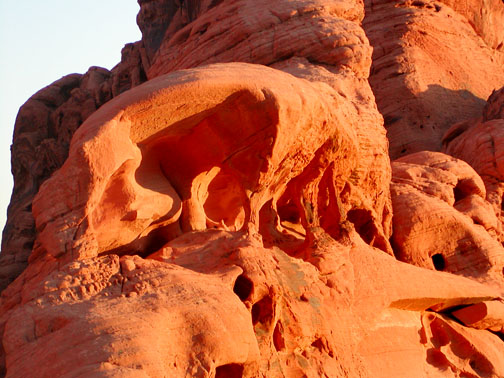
[{"x": 441, "y": 218}]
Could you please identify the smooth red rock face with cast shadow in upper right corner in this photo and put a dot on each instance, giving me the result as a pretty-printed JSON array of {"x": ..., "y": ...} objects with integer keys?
[{"x": 428, "y": 61}]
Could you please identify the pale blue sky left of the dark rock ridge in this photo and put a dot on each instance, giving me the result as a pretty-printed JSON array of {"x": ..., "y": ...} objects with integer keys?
[{"x": 41, "y": 41}]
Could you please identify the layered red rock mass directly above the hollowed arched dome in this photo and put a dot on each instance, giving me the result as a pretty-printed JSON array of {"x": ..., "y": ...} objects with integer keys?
[{"x": 262, "y": 32}]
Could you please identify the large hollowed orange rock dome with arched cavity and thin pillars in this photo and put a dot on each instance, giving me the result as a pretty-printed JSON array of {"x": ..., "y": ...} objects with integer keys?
[{"x": 138, "y": 196}]
